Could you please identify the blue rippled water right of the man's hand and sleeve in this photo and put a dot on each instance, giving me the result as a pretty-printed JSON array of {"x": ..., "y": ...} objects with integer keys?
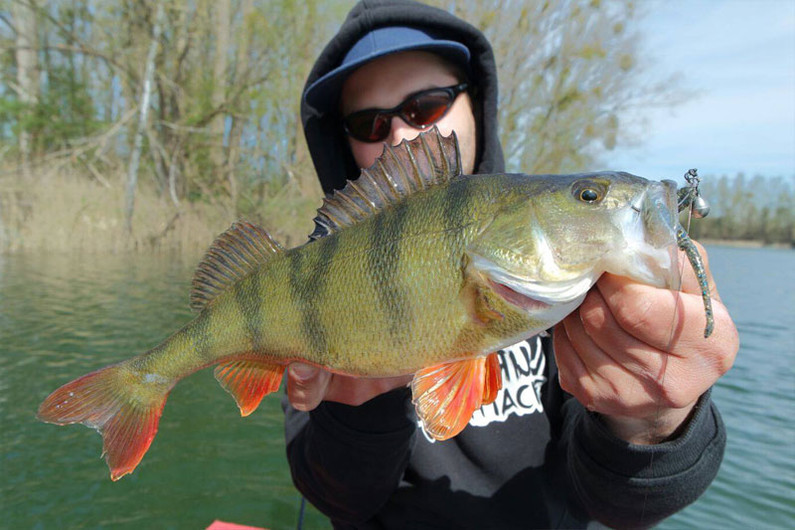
[{"x": 755, "y": 487}]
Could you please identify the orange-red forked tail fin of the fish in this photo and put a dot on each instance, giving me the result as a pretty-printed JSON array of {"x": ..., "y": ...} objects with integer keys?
[{"x": 123, "y": 406}]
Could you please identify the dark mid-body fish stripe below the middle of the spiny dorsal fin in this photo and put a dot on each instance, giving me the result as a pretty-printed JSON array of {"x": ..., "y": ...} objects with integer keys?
[{"x": 382, "y": 265}]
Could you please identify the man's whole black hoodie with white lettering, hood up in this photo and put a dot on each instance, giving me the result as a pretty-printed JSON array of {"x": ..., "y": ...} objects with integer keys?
[{"x": 533, "y": 459}]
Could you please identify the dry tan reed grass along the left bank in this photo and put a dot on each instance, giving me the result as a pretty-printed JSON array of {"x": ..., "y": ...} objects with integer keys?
[{"x": 61, "y": 210}]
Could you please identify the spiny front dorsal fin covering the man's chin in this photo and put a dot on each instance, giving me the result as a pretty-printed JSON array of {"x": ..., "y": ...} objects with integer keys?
[{"x": 412, "y": 165}]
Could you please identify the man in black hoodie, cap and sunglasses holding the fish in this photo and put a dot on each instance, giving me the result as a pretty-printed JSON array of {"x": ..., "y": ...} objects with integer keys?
[{"x": 644, "y": 447}]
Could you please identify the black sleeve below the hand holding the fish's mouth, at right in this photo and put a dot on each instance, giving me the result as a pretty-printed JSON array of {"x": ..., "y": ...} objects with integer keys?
[{"x": 629, "y": 486}]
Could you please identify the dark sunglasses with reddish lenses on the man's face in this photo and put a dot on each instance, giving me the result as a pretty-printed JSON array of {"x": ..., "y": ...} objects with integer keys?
[{"x": 419, "y": 110}]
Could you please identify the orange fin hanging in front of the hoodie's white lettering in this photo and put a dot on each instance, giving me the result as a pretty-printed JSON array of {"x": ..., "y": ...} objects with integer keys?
[{"x": 447, "y": 395}]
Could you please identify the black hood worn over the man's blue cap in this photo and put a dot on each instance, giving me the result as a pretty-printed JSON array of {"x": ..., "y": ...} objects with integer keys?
[{"x": 325, "y": 138}]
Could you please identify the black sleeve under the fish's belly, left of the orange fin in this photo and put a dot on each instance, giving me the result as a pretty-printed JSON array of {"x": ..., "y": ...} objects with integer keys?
[{"x": 347, "y": 461}]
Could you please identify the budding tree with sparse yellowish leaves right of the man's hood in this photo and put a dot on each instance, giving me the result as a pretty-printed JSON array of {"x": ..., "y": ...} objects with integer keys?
[{"x": 571, "y": 77}]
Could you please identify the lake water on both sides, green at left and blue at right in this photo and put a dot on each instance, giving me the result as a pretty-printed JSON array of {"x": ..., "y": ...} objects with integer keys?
[{"x": 61, "y": 317}]
